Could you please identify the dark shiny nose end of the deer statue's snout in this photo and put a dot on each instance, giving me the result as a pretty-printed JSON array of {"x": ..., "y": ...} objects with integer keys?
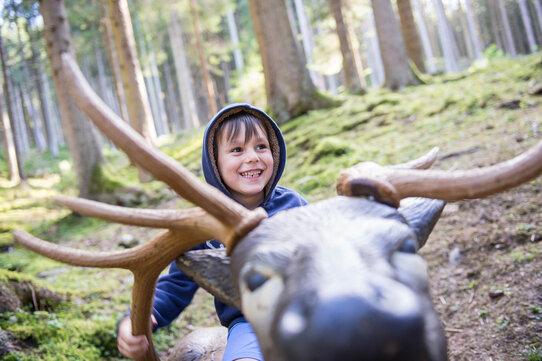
[{"x": 382, "y": 323}]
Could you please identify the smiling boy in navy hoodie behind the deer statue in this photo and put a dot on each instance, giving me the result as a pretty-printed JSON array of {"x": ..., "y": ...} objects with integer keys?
[{"x": 243, "y": 155}]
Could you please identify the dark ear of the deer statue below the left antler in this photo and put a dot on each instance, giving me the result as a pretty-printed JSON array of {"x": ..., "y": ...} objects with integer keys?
[{"x": 210, "y": 269}]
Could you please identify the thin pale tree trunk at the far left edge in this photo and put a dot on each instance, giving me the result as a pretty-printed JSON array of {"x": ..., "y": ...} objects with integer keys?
[{"x": 15, "y": 169}]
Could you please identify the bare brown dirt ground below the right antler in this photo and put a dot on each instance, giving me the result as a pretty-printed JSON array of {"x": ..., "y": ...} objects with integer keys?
[{"x": 485, "y": 265}]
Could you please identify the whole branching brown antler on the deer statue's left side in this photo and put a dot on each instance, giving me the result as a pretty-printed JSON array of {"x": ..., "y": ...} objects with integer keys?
[{"x": 219, "y": 216}]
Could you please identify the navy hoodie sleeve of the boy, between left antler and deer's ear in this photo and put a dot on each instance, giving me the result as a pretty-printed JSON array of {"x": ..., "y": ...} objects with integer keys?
[{"x": 174, "y": 292}]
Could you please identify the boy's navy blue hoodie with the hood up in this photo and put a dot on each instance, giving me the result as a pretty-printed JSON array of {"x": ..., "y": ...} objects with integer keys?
[{"x": 175, "y": 291}]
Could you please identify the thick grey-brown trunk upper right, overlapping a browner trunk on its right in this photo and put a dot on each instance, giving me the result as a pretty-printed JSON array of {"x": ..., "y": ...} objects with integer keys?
[{"x": 394, "y": 56}]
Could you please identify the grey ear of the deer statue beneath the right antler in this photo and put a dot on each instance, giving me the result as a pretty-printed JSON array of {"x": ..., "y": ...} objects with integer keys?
[{"x": 421, "y": 214}]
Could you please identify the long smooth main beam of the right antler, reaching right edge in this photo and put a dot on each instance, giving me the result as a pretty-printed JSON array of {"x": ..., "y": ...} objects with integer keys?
[{"x": 390, "y": 185}]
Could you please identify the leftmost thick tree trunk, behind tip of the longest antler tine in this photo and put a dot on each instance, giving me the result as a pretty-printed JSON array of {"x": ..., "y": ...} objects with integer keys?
[{"x": 80, "y": 136}]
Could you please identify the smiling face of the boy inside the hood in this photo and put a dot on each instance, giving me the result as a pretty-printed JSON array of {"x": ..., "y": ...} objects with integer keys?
[{"x": 245, "y": 165}]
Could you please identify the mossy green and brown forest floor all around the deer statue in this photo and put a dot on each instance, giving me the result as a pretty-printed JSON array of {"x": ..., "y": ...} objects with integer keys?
[{"x": 484, "y": 256}]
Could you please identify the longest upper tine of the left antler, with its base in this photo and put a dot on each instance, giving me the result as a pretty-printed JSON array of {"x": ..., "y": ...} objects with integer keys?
[{"x": 239, "y": 219}]
